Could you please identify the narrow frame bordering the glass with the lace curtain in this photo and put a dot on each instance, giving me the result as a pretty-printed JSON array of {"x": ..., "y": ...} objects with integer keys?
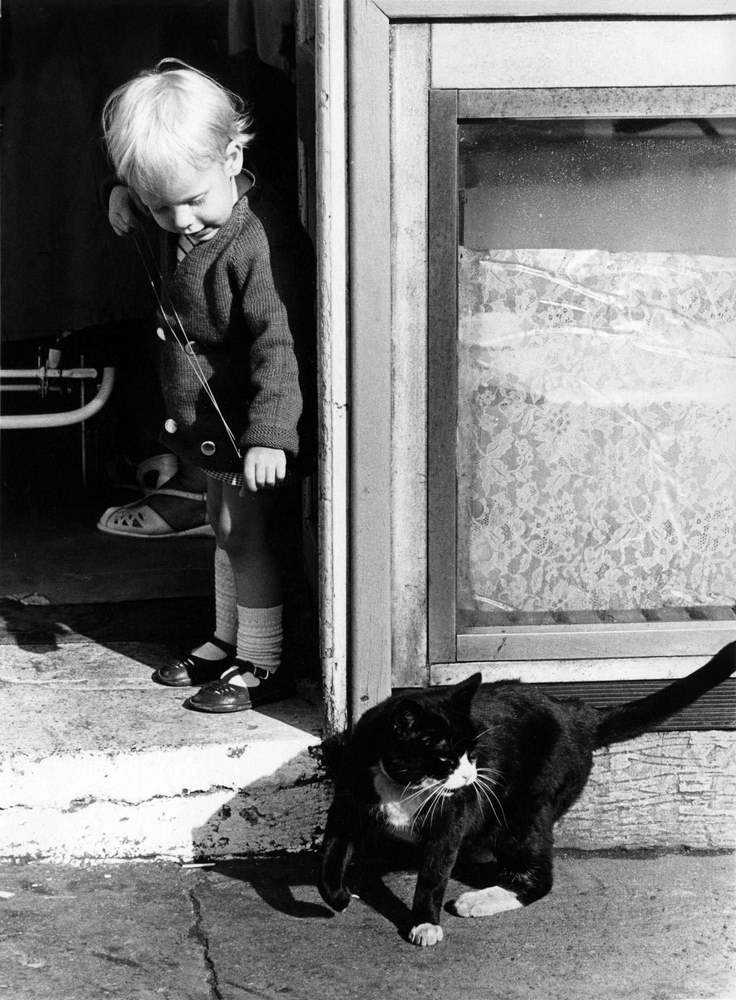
[{"x": 447, "y": 644}]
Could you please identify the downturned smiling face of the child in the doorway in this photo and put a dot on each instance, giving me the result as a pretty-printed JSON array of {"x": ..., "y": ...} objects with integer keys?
[{"x": 196, "y": 201}]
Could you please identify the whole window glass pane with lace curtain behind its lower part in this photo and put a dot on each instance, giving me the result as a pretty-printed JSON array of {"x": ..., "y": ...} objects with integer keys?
[{"x": 596, "y": 371}]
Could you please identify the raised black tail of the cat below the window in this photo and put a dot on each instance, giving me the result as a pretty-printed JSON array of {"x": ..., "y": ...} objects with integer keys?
[{"x": 635, "y": 717}]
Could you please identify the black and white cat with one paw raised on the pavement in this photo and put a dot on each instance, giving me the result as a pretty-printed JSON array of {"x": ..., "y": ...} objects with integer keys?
[{"x": 424, "y": 768}]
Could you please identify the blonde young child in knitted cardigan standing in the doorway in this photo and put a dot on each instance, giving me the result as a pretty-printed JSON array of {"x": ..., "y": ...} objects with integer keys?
[{"x": 240, "y": 280}]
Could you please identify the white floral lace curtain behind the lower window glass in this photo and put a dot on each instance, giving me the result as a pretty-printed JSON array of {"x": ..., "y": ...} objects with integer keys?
[{"x": 596, "y": 430}]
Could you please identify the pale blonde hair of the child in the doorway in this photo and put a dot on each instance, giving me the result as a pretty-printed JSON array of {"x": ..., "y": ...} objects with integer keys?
[{"x": 169, "y": 114}]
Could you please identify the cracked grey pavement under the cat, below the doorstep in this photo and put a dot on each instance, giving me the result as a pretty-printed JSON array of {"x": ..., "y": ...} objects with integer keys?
[{"x": 643, "y": 927}]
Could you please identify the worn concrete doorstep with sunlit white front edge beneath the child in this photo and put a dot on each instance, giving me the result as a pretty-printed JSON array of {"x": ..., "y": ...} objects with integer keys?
[{"x": 100, "y": 763}]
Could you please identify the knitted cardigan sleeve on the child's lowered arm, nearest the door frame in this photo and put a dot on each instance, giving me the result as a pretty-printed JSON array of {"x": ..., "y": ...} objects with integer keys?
[{"x": 276, "y": 401}]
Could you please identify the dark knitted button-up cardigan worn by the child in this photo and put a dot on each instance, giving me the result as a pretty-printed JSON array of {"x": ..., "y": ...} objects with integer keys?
[{"x": 235, "y": 295}]
